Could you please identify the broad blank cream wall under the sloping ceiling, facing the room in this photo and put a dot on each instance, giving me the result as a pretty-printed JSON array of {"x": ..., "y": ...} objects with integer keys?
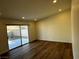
[{"x": 55, "y": 28}]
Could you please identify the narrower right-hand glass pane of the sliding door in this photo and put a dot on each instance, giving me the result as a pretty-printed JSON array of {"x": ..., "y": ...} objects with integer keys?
[{"x": 24, "y": 34}]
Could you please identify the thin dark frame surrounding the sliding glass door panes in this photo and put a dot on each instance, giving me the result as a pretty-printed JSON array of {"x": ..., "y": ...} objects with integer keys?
[{"x": 20, "y": 34}]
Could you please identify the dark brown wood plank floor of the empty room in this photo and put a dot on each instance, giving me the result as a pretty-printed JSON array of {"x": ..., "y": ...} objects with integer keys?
[{"x": 41, "y": 50}]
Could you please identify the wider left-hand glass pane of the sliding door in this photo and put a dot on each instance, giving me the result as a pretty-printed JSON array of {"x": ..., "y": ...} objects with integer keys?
[{"x": 14, "y": 39}]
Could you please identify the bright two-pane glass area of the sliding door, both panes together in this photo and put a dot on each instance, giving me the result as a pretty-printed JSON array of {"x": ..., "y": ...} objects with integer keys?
[{"x": 17, "y": 35}]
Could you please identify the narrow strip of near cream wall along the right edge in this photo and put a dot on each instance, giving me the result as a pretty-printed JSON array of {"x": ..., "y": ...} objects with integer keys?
[{"x": 75, "y": 28}]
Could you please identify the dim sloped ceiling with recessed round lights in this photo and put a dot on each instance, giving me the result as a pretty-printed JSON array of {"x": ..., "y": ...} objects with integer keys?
[{"x": 31, "y": 9}]
